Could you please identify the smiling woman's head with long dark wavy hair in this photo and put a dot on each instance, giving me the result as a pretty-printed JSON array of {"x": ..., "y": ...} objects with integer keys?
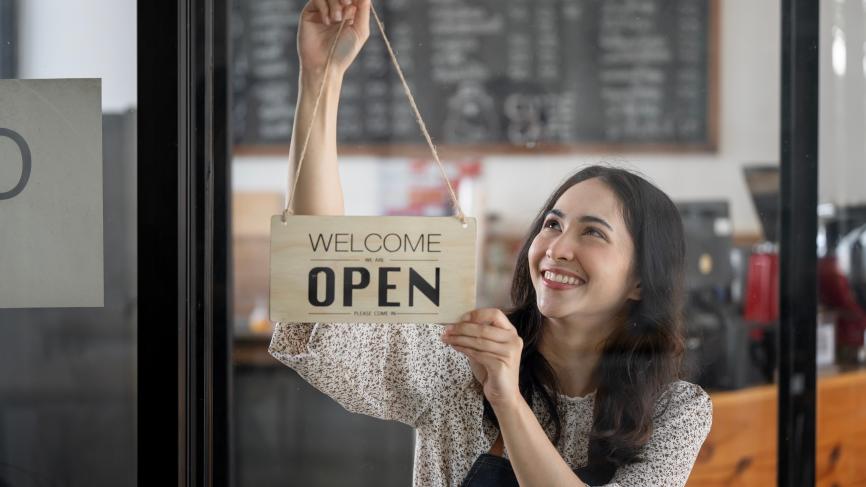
[{"x": 623, "y": 319}]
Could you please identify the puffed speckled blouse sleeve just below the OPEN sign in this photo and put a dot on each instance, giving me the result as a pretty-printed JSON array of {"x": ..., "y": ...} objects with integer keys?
[{"x": 391, "y": 372}]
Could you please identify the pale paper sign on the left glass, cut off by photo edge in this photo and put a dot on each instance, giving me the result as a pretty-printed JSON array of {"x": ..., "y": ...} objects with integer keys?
[{"x": 51, "y": 250}]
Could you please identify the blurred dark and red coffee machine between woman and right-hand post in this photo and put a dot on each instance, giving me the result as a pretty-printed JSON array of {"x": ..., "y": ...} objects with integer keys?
[{"x": 732, "y": 308}]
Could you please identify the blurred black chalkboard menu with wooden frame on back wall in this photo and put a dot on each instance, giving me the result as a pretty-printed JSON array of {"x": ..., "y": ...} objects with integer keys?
[{"x": 516, "y": 74}]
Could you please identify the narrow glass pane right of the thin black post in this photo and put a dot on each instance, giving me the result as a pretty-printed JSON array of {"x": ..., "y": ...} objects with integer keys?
[{"x": 841, "y": 228}]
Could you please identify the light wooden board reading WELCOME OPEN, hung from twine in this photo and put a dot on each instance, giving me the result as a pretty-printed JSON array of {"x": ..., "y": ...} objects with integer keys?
[{"x": 367, "y": 269}]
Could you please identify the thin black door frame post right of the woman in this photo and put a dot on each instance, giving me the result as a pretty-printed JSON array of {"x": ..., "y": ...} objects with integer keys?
[{"x": 798, "y": 261}]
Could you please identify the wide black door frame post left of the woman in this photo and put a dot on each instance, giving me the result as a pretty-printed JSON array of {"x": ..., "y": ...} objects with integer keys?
[{"x": 184, "y": 286}]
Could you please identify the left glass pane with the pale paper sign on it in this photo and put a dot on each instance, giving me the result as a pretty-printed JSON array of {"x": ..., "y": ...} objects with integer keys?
[{"x": 68, "y": 245}]
